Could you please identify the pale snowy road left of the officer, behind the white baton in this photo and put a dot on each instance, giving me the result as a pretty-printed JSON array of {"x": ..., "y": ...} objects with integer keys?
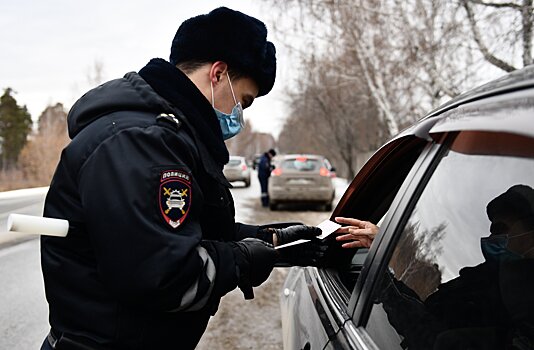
[{"x": 24, "y": 314}]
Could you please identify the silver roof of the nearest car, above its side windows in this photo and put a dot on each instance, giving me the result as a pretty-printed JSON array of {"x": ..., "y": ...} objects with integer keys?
[{"x": 485, "y": 108}]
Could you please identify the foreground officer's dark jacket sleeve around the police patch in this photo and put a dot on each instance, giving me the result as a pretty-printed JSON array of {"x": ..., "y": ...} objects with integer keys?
[{"x": 139, "y": 256}]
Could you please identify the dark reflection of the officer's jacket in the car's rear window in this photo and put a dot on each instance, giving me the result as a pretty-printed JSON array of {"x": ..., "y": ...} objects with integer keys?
[{"x": 468, "y": 312}]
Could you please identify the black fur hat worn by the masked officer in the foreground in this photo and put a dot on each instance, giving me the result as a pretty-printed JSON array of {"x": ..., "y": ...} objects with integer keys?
[{"x": 232, "y": 37}]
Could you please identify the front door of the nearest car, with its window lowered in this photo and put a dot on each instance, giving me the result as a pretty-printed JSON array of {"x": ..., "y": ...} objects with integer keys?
[{"x": 316, "y": 303}]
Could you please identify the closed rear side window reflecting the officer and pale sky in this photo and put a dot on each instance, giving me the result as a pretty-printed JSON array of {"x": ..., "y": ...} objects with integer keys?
[{"x": 461, "y": 274}]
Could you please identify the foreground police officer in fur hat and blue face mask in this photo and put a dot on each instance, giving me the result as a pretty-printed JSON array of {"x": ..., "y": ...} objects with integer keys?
[{"x": 153, "y": 244}]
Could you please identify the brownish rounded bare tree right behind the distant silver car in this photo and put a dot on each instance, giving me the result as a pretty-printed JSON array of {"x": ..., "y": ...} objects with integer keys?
[{"x": 333, "y": 117}]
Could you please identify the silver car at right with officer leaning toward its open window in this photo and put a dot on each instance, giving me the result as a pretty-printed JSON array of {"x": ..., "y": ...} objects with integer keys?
[{"x": 452, "y": 266}]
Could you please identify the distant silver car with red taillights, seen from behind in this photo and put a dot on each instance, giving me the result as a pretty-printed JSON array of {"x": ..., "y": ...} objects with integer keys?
[{"x": 301, "y": 178}]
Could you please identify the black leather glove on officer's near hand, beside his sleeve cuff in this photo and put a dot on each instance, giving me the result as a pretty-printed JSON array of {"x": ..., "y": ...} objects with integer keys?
[{"x": 255, "y": 260}]
